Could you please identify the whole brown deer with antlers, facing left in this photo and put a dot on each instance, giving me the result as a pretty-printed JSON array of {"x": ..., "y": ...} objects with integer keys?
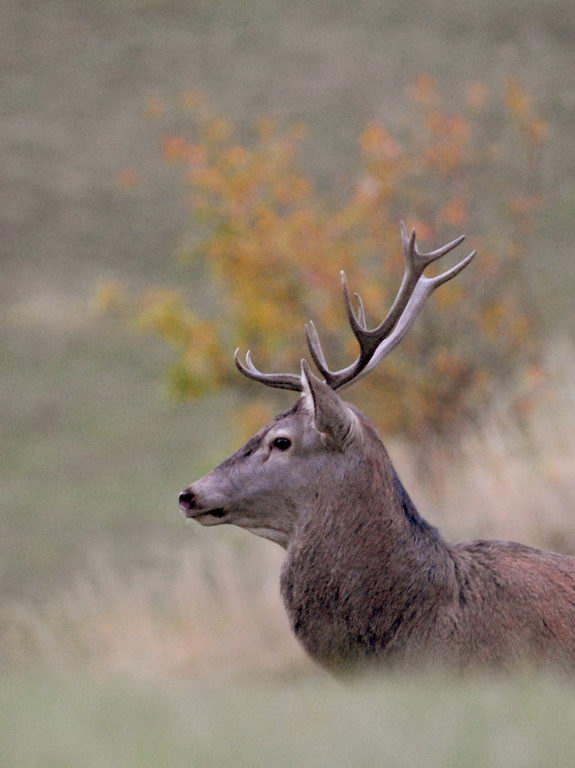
[{"x": 366, "y": 579}]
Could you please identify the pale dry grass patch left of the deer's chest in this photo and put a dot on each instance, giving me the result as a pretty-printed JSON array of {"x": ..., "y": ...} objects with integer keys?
[{"x": 187, "y": 613}]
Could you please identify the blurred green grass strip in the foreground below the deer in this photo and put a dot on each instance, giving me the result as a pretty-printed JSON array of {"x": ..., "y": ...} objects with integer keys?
[{"x": 310, "y": 721}]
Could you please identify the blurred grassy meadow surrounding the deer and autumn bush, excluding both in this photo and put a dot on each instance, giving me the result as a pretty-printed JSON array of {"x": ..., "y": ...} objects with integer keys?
[{"x": 128, "y": 636}]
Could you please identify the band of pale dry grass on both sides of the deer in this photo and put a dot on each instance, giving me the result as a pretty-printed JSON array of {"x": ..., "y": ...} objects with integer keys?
[{"x": 216, "y": 610}]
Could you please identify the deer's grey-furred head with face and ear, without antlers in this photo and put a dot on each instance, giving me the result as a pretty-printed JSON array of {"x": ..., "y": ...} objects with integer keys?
[{"x": 276, "y": 477}]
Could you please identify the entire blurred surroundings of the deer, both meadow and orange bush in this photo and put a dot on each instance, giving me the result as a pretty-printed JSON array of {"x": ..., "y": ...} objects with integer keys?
[{"x": 158, "y": 158}]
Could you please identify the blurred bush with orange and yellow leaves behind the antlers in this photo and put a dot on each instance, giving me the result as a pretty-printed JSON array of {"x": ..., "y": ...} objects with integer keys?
[{"x": 268, "y": 244}]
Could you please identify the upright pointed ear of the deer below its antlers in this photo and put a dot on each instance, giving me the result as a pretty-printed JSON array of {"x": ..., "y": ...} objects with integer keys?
[{"x": 332, "y": 417}]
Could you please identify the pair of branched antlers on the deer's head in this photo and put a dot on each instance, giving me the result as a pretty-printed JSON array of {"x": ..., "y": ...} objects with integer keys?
[{"x": 377, "y": 343}]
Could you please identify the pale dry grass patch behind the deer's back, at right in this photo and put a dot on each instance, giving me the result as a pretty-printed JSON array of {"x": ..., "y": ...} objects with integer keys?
[{"x": 512, "y": 476}]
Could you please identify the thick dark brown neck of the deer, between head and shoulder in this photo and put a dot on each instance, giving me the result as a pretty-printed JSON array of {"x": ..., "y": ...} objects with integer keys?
[{"x": 362, "y": 559}]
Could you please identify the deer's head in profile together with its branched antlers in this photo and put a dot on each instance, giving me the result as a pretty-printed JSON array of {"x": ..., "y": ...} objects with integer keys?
[{"x": 316, "y": 448}]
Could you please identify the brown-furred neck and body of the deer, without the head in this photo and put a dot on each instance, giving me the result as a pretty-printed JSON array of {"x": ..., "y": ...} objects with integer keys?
[{"x": 366, "y": 578}]
